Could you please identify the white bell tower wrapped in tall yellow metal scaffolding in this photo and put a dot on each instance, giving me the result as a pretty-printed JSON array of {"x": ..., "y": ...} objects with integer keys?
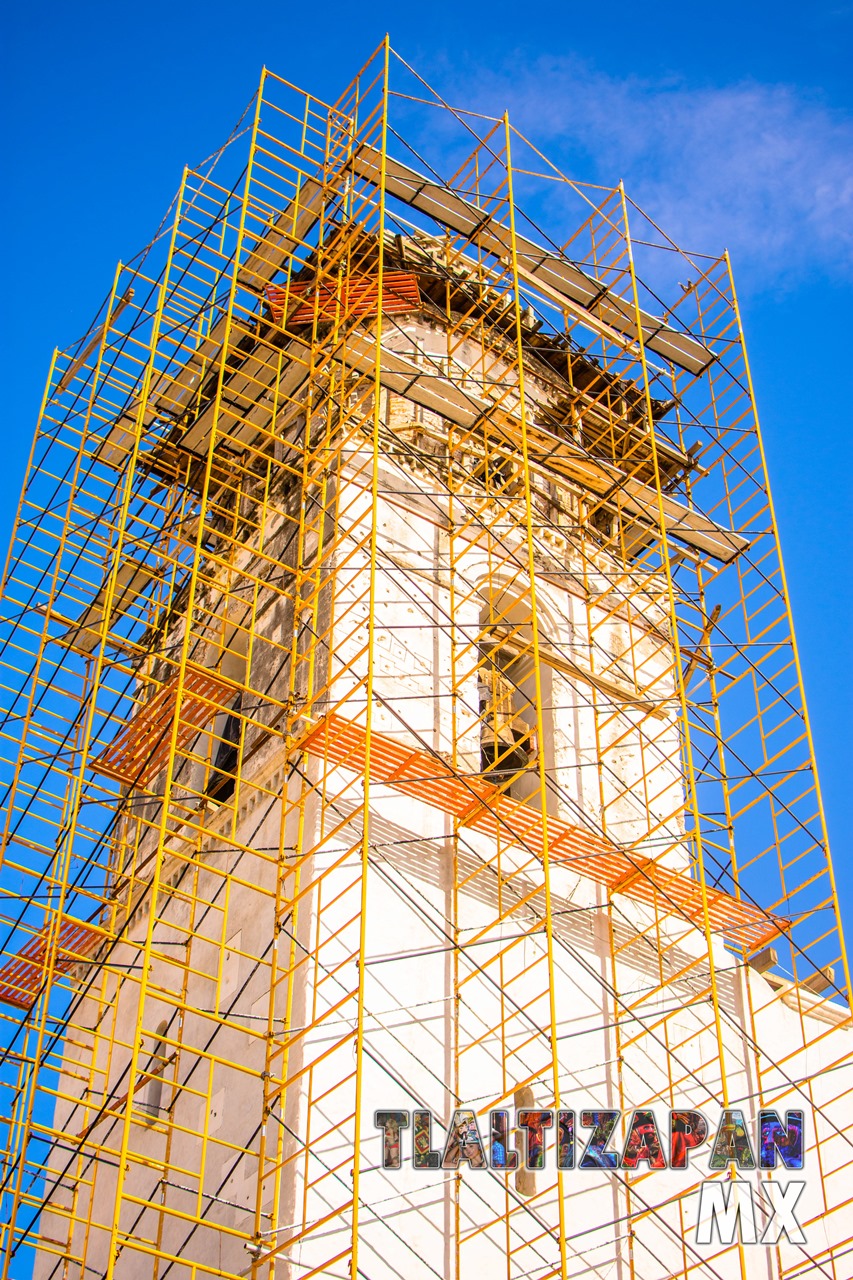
[{"x": 398, "y": 592}]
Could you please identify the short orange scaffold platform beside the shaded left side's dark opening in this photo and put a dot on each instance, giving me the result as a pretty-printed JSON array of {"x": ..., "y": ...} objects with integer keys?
[{"x": 140, "y": 751}]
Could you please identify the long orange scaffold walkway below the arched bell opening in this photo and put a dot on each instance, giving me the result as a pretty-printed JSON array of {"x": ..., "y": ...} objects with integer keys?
[{"x": 482, "y": 807}]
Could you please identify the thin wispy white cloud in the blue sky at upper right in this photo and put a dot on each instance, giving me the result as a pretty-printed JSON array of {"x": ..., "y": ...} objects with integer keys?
[{"x": 761, "y": 170}]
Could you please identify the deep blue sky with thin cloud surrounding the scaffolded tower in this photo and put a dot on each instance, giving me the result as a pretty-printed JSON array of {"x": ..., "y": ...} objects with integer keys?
[{"x": 733, "y": 125}]
